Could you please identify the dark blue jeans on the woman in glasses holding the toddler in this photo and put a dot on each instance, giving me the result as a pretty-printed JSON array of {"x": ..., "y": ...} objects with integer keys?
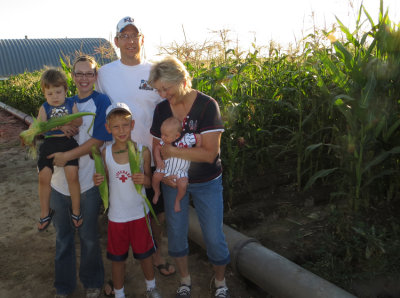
[{"x": 91, "y": 271}]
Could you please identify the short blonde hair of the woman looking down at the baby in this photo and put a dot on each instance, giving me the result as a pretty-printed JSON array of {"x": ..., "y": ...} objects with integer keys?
[{"x": 171, "y": 70}]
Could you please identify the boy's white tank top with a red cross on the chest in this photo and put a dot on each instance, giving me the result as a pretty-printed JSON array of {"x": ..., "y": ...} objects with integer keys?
[{"x": 125, "y": 203}]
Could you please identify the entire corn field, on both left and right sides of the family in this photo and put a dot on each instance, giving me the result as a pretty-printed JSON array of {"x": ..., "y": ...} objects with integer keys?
[{"x": 327, "y": 115}]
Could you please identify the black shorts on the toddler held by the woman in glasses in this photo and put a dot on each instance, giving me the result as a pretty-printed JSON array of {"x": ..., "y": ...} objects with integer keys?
[{"x": 52, "y": 145}]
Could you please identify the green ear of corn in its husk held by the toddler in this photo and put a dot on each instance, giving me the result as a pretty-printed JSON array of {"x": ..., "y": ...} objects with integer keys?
[{"x": 38, "y": 127}]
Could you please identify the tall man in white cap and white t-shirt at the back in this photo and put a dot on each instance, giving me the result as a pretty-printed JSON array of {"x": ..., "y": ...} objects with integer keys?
[{"x": 125, "y": 80}]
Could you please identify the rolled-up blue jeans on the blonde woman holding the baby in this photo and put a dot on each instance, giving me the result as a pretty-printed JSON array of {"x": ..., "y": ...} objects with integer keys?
[{"x": 208, "y": 201}]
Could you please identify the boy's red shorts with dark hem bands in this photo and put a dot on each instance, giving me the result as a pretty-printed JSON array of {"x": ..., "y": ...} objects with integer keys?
[{"x": 134, "y": 233}]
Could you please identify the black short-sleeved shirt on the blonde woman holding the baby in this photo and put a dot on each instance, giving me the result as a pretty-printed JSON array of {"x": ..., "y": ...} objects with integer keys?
[{"x": 203, "y": 117}]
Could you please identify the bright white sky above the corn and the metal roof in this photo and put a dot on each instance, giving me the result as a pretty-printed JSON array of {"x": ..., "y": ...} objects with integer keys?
[{"x": 165, "y": 22}]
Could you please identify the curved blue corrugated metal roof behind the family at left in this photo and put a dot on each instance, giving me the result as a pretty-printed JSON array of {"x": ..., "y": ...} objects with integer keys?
[{"x": 27, "y": 55}]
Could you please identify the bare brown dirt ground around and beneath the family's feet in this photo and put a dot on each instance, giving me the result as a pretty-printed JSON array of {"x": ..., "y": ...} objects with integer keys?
[{"x": 27, "y": 256}]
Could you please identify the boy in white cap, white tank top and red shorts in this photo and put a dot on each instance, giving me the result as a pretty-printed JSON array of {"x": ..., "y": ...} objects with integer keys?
[{"x": 126, "y": 217}]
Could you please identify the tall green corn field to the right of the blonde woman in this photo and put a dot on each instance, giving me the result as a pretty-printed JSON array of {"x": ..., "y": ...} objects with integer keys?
[{"x": 332, "y": 112}]
